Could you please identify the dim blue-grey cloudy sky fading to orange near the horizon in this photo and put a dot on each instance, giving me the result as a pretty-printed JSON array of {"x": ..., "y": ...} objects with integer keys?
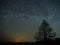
[{"x": 20, "y": 19}]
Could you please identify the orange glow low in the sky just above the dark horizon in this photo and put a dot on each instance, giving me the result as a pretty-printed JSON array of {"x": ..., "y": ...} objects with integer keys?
[{"x": 22, "y": 38}]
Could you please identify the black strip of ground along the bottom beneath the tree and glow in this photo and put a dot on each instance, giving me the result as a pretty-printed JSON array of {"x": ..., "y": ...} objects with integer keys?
[{"x": 55, "y": 42}]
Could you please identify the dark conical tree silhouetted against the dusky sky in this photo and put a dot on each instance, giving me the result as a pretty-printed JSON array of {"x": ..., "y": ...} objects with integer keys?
[{"x": 45, "y": 32}]
